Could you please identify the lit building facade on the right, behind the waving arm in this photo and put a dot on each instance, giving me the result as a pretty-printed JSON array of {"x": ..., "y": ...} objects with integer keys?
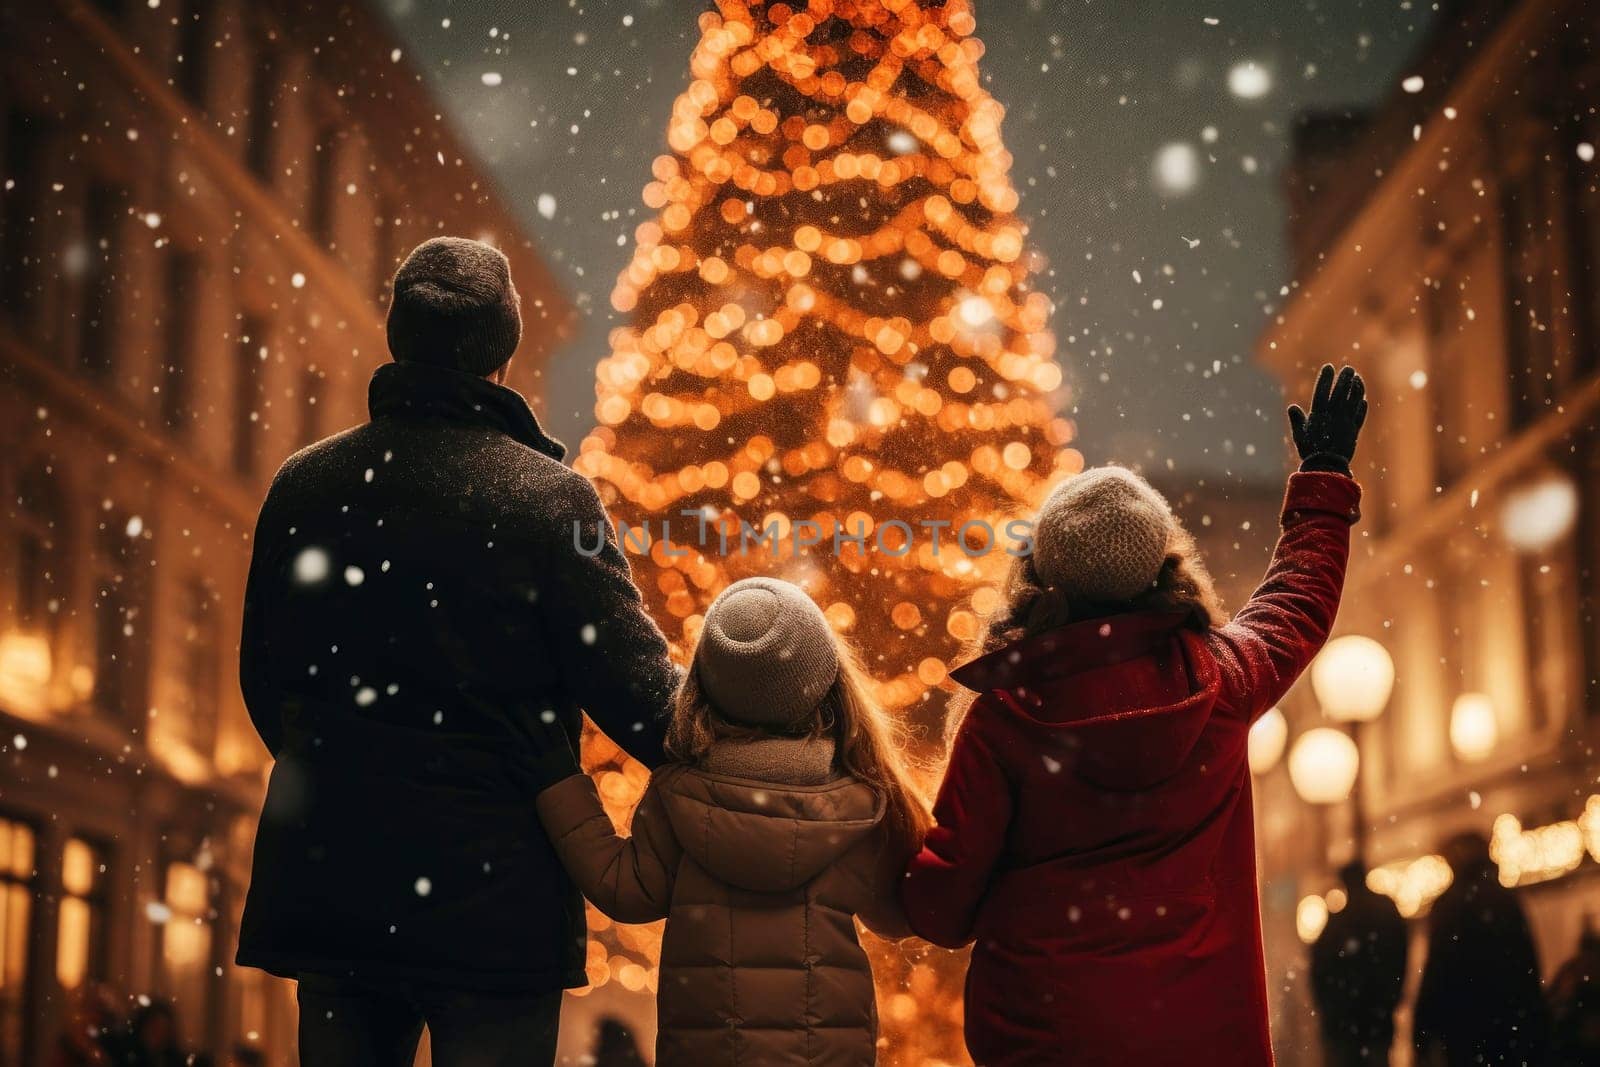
[{"x": 1449, "y": 246}]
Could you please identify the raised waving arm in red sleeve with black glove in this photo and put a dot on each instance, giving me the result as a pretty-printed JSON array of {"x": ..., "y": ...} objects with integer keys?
[{"x": 1289, "y": 618}]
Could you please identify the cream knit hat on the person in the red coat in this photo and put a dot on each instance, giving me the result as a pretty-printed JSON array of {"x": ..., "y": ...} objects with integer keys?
[{"x": 1102, "y": 537}]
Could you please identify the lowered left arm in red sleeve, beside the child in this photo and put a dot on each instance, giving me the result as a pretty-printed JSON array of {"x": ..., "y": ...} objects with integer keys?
[{"x": 950, "y": 877}]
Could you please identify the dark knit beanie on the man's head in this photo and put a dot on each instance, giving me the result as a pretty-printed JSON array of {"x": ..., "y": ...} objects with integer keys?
[{"x": 455, "y": 306}]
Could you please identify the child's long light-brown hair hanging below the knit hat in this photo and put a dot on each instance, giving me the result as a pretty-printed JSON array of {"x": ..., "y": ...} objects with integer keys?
[{"x": 868, "y": 743}]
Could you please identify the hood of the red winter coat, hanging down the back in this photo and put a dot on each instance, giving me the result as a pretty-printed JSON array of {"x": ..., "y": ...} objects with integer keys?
[{"x": 1127, "y": 693}]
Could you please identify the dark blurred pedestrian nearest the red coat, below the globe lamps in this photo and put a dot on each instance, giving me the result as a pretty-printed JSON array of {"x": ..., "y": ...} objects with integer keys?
[{"x": 1358, "y": 975}]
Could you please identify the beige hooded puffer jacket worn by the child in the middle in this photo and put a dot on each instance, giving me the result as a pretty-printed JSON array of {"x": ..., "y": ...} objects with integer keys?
[{"x": 759, "y": 881}]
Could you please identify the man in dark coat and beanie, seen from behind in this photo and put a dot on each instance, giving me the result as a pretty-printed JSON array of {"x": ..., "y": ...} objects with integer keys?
[{"x": 425, "y": 591}]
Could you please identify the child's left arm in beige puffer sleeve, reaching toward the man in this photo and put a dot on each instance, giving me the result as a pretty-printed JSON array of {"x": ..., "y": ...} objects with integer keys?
[{"x": 626, "y": 877}]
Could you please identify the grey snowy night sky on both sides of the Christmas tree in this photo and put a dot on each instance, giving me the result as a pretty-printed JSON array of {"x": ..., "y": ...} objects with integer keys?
[{"x": 1150, "y": 142}]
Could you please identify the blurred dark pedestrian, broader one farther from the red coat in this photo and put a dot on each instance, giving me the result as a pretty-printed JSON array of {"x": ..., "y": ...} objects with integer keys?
[{"x": 1481, "y": 999}]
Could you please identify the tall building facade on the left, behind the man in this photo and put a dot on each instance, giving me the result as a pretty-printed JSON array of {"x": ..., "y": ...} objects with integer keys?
[{"x": 202, "y": 206}]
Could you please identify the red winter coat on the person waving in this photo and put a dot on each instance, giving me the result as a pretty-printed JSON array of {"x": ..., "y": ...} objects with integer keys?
[{"x": 1095, "y": 829}]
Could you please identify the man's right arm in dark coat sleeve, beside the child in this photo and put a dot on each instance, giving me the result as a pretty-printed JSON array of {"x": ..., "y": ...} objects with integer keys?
[{"x": 614, "y": 658}]
